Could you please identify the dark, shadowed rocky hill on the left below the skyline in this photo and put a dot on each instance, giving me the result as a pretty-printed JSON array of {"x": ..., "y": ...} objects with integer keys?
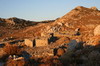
[{"x": 16, "y": 23}]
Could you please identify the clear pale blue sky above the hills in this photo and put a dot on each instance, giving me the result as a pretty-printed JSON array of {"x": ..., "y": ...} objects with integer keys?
[{"x": 38, "y": 10}]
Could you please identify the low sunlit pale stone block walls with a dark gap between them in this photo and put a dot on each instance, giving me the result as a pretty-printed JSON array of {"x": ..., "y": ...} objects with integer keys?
[{"x": 42, "y": 41}]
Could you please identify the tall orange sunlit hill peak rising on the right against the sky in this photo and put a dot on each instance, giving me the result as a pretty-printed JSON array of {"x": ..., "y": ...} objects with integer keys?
[{"x": 81, "y": 17}]
